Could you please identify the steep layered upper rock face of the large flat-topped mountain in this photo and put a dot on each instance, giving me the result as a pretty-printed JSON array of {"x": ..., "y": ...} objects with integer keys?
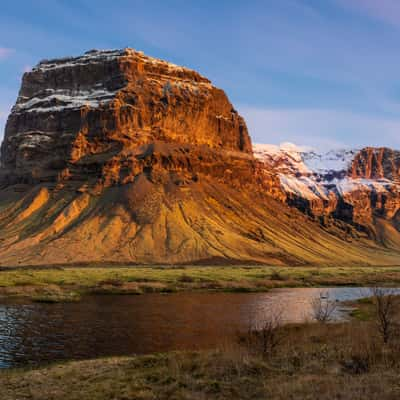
[{"x": 94, "y": 114}]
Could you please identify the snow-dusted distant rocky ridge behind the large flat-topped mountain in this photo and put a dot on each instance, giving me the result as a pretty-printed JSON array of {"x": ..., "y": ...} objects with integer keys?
[{"x": 356, "y": 185}]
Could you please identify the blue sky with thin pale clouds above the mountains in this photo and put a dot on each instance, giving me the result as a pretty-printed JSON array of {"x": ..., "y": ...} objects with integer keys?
[{"x": 322, "y": 73}]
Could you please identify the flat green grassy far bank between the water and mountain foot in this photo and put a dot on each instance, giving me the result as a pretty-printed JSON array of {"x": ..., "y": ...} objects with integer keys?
[{"x": 70, "y": 283}]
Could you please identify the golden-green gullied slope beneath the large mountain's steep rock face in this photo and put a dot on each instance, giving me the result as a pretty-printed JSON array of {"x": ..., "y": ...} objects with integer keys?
[{"x": 200, "y": 222}]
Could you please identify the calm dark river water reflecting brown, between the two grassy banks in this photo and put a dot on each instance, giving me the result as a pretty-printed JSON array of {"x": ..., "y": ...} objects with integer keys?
[{"x": 121, "y": 325}]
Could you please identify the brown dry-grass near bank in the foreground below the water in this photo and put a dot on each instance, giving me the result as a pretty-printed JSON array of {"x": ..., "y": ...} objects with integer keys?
[{"x": 312, "y": 361}]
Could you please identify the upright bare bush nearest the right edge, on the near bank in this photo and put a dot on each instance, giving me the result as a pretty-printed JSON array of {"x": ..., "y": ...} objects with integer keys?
[{"x": 384, "y": 311}]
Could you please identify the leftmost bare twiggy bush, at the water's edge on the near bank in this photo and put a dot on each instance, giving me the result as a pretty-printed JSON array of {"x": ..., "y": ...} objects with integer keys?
[{"x": 264, "y": 336}]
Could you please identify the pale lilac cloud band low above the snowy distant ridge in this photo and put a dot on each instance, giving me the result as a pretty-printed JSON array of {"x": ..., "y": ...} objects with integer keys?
[{"x": 320, "y": 128}]
